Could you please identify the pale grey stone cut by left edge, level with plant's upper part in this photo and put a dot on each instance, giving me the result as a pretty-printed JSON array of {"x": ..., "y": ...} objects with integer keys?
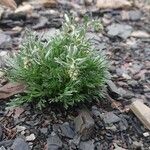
[{"x": 5, "y": 41}]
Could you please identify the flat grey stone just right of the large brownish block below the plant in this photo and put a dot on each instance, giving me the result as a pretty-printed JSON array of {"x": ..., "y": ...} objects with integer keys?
[{"x": 110, "y": 118}]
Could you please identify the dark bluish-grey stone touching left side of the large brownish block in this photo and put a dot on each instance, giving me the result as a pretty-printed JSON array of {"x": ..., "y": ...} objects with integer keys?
[{"x": 66, "y": 130}]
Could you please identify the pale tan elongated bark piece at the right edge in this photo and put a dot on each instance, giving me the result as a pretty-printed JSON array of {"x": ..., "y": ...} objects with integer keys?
[{"x": 142, "y": 112}]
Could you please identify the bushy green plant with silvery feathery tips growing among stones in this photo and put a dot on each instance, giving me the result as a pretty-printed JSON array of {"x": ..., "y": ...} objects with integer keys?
[{"x": 64, "y": 70}]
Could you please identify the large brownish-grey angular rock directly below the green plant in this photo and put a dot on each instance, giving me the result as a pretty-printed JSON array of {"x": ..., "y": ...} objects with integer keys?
[{"x": 84, "y": 124}]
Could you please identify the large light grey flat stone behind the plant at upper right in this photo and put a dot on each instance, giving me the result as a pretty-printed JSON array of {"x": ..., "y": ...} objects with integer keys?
[{"x": 121, "y": 30}]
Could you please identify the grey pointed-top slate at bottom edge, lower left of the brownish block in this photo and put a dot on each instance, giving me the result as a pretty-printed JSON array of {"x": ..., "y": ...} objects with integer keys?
[{"x": 54, "y": 142}]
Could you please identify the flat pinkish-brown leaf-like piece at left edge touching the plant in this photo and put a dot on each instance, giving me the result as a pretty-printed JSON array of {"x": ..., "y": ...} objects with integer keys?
[{"x": 11, "y": 89}]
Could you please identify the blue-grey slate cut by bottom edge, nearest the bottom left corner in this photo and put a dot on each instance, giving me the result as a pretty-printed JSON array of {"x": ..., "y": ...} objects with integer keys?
[{"x": 20, "y": 144}]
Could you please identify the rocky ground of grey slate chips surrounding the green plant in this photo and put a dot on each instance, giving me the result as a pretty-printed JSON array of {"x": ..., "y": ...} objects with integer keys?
[{"x": 98, "y": 126}]
